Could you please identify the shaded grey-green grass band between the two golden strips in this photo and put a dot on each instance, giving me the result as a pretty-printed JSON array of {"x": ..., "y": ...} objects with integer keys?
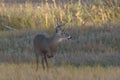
[{"x": 92, "y": 46}]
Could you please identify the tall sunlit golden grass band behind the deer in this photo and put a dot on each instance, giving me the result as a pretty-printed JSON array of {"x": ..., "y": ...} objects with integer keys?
[{"x": 43, "y": 15}]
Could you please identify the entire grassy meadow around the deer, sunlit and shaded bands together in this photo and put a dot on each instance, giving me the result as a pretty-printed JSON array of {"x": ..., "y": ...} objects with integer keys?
[{"x": 92, "y": 54}]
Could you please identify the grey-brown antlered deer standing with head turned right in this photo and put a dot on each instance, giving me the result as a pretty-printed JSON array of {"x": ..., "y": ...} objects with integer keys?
[{"x": 46, "y": 46}]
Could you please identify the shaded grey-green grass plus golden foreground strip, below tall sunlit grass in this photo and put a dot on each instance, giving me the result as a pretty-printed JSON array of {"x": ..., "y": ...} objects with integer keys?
[{"x": 95, "y": 55}]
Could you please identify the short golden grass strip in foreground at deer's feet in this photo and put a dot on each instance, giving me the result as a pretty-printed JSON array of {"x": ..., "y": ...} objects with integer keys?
[{"x": 27, "y": 72}]
